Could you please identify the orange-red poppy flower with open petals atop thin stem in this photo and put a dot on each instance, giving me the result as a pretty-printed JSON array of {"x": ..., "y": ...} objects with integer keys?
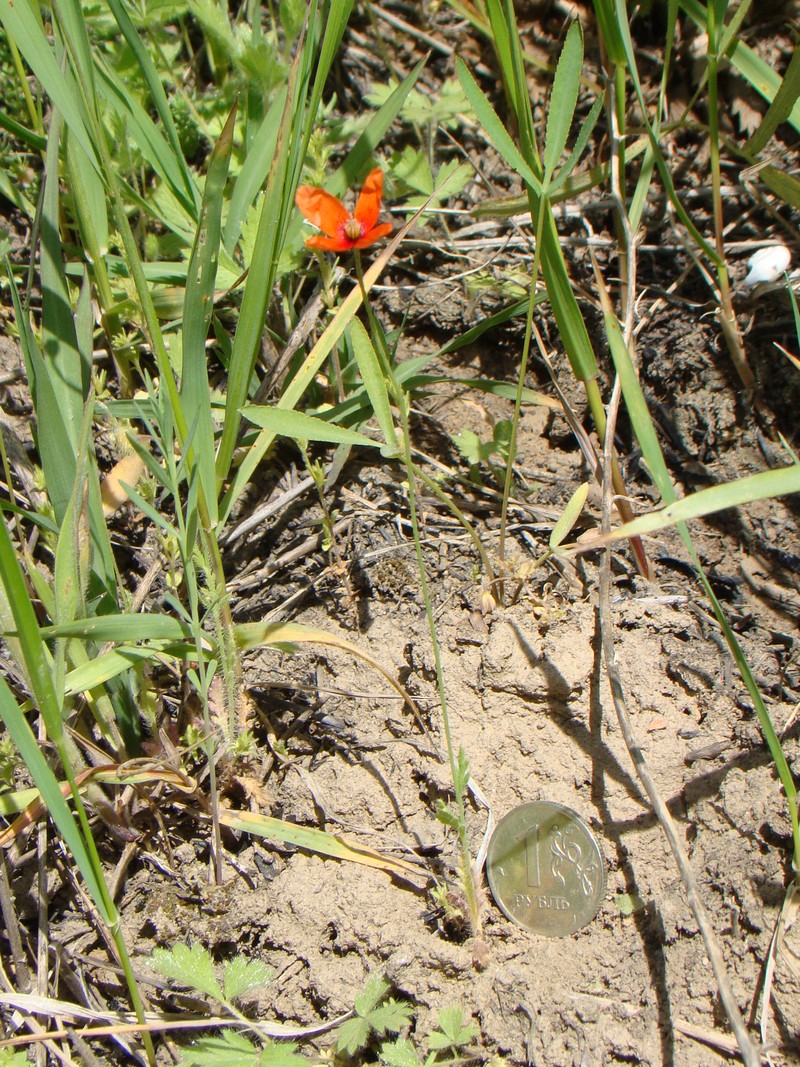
[{"x": 342, "y": 230}]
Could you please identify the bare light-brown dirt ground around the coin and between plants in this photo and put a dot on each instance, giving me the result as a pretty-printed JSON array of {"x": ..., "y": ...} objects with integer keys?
[{"x": 527, "y": 694}]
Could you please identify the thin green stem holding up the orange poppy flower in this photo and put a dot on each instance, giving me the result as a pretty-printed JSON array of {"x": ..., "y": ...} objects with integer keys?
[{"x": 468, "y": 874}]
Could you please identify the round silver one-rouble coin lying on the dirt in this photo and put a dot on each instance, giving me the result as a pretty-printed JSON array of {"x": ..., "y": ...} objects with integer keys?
[{"x": 547, "y": 870}]
